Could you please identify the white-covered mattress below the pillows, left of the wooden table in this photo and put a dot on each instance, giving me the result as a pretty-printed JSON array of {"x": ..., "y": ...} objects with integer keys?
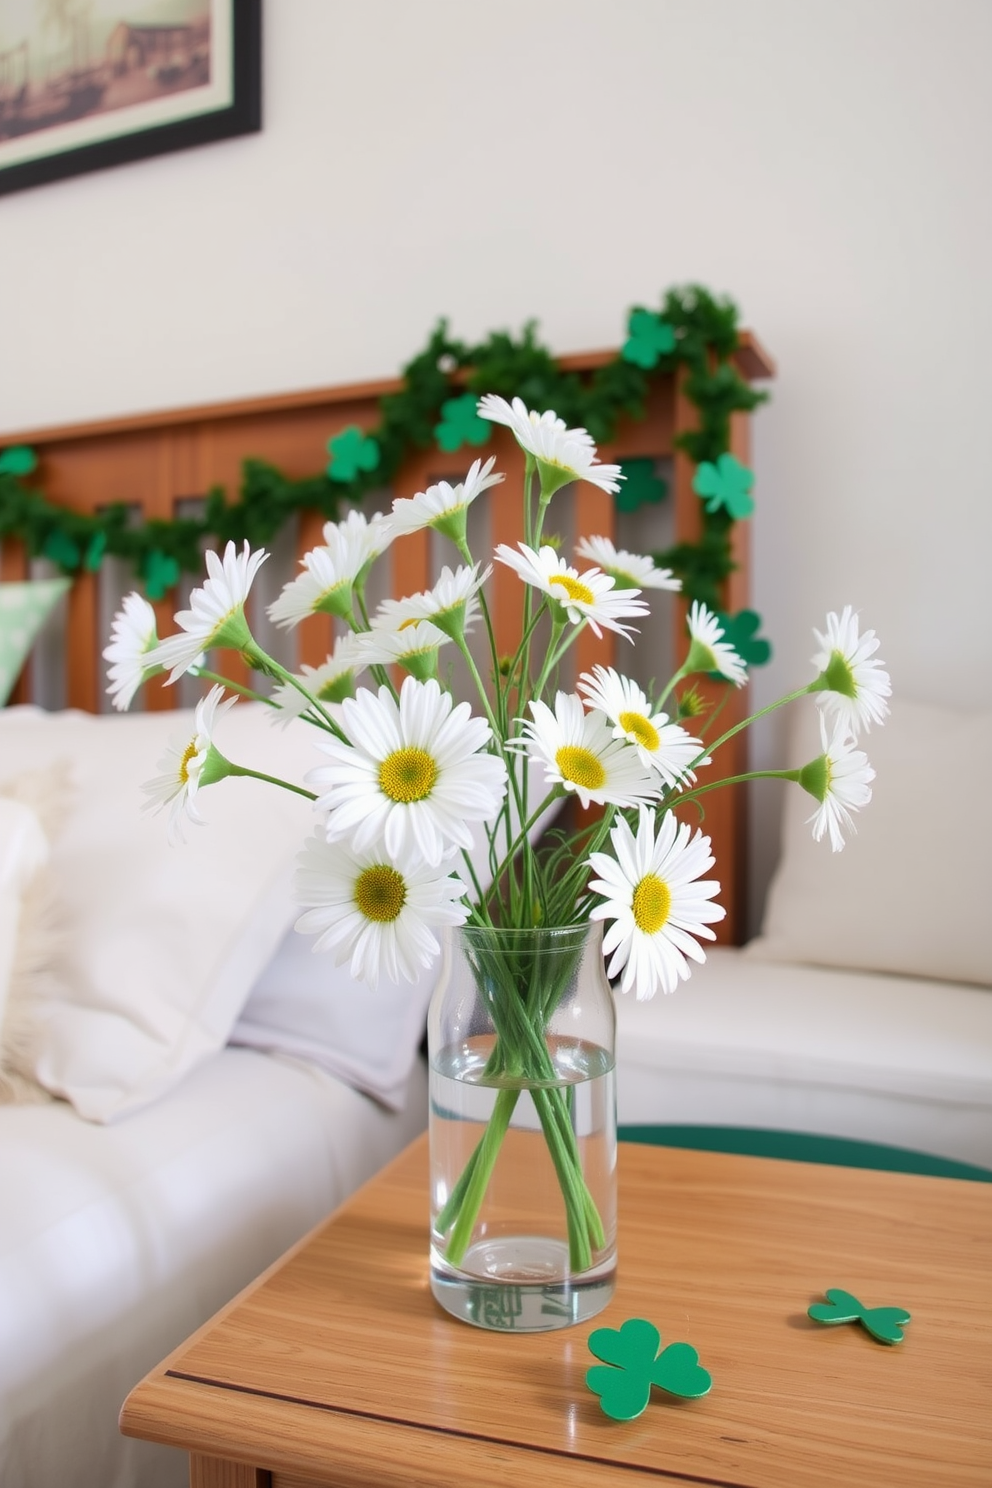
[{"x": 118, "y": 1242}]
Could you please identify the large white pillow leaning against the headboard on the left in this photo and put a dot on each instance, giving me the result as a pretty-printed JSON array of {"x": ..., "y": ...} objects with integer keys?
[{"x": 163, "y": 943}]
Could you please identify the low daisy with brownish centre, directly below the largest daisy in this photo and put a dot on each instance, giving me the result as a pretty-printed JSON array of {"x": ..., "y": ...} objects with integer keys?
[{"x": 380, "y": 914}]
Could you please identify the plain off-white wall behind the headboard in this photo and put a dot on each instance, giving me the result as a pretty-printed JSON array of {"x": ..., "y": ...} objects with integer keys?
[{"x": 826, "y": 163}]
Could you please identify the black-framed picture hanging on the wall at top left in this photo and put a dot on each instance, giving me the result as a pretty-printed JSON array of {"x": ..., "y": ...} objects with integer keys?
[{"x": 88, "y": 84}]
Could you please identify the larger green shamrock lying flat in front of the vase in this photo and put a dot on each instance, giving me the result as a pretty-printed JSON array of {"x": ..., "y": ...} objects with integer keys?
[{"x": 631, "y": 1352}]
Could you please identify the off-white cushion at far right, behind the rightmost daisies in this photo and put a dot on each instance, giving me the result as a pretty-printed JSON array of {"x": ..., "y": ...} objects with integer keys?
[{"x": 911, "y": 892}]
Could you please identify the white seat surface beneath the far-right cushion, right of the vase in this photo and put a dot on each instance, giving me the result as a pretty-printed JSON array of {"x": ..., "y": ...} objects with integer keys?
[{"x": 893, "y": 1060}]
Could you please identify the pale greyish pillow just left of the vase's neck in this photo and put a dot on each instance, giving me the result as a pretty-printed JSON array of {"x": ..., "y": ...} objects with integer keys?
[{"x": 307, "y": 1007}]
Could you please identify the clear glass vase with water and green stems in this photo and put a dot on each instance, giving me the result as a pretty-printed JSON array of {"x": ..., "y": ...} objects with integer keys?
[{"x": 523, "y": 1129}]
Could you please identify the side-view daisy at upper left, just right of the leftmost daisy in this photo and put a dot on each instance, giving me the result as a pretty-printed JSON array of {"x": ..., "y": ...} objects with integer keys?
[{"x": 216, "y": 614}]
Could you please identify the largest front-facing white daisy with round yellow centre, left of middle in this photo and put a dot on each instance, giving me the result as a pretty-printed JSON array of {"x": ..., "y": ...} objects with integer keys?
[{"x": 416, "y": 773}]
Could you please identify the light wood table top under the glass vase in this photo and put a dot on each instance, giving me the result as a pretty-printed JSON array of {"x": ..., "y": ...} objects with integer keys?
[{"x": 338, "y": 1367}]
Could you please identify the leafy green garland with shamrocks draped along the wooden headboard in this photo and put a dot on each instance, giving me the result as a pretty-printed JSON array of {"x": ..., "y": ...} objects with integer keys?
[{"x": 694, "y": 330}]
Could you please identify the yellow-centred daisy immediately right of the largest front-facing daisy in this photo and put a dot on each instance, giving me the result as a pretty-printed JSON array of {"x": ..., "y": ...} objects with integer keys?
[{"x": 579, "y": 754}]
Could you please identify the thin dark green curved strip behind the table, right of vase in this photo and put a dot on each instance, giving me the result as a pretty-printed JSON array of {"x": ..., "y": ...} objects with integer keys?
[{"x": 798, "y": 1147}]
